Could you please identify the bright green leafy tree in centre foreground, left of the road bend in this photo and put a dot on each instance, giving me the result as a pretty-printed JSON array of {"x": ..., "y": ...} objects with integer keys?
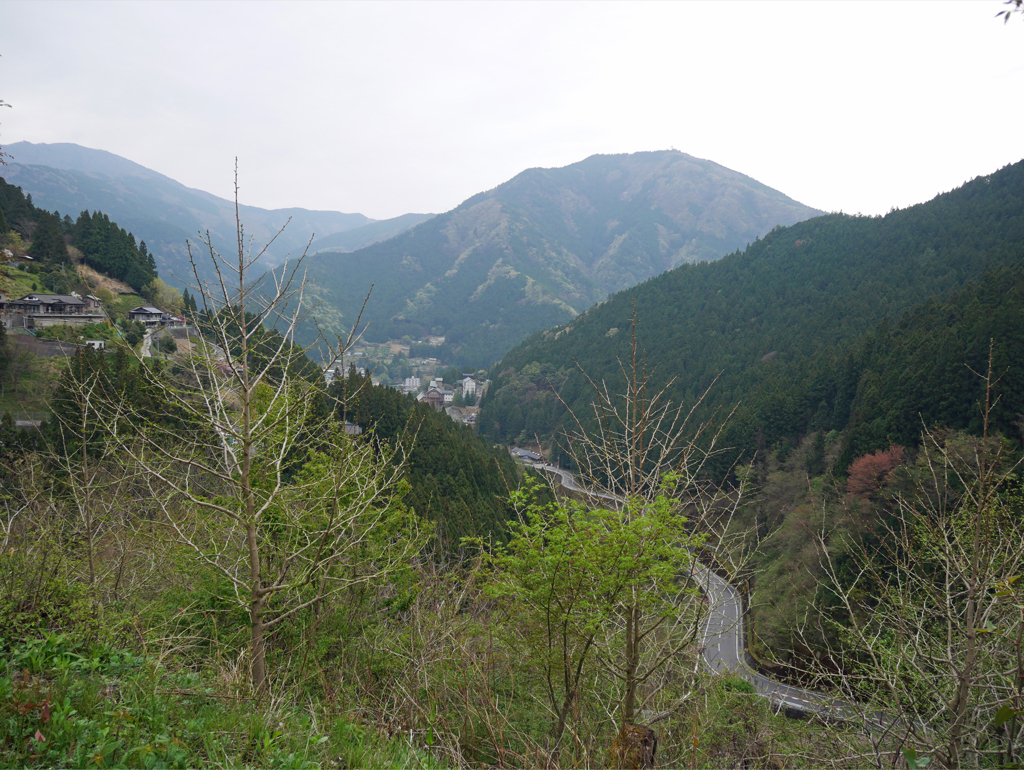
[{"x": 574, "y": 573}]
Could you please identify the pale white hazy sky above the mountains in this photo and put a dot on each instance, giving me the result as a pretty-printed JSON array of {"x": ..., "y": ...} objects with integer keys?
[{"x": 388, "y": 108}]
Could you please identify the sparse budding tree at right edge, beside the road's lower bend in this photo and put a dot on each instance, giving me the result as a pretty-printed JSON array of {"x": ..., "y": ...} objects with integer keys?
[{"x": 932, "y": 628}]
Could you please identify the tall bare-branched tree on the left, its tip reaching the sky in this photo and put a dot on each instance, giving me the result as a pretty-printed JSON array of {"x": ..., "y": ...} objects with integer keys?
[{"x": 253, "y": 476}]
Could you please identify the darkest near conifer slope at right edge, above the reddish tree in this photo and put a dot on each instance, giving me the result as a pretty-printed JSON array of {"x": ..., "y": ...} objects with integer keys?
[{"x": 924, "y": 370}]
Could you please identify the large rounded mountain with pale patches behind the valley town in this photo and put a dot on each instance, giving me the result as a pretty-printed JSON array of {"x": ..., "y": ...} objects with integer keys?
[{"x": 543, "y": 247}]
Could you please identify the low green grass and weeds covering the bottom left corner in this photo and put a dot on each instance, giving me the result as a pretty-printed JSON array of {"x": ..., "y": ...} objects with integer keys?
[{"x": 64, "y": 703}]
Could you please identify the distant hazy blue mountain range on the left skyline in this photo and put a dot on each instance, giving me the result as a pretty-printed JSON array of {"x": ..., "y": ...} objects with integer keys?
[{"x": 157, "y": 208}]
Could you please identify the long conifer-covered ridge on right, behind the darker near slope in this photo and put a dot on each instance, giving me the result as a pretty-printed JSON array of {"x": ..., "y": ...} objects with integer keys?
[{"x": 773, "y": 323}]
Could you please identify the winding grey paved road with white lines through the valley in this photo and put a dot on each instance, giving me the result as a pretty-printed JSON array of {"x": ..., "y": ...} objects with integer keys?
[{"x": 724, "y": 651}]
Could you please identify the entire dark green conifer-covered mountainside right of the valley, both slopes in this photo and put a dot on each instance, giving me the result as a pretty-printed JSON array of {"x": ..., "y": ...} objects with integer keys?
[{"x": 782, "y": 326}]
